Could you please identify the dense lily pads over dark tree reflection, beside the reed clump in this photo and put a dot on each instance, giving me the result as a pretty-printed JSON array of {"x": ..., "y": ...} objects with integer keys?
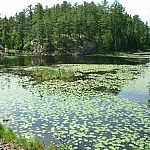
[{"x": 97, "y": 78}]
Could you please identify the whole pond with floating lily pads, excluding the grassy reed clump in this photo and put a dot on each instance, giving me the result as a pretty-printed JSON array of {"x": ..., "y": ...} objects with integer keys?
[{"x": 106, "y": 107}]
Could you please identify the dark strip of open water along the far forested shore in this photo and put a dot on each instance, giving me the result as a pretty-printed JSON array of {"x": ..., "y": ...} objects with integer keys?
[{"x": 48, "y": 60}]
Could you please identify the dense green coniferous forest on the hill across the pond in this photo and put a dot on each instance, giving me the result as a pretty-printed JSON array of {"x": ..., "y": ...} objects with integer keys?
[{"x": 85, "y": 28}]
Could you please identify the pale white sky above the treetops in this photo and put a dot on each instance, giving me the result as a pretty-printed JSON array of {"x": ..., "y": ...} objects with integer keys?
[{"x": 133, "y": 7}]
